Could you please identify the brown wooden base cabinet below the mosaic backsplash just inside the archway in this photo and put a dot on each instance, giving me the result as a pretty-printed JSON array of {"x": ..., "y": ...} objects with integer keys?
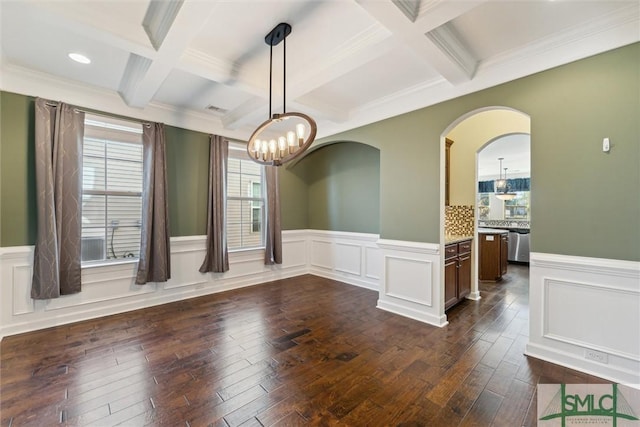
[{"x": 457, "y": 272}]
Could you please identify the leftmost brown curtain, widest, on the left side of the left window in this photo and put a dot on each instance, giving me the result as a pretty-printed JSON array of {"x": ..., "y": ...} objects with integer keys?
[{"x": 58, "y": 154}]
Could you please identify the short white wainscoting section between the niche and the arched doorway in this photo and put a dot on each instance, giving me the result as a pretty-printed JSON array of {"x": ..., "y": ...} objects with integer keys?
[{"x": 412, "y": 281}]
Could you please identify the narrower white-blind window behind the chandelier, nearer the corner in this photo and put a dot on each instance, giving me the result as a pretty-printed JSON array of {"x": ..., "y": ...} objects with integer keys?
[{"x": 245, "y": 200}]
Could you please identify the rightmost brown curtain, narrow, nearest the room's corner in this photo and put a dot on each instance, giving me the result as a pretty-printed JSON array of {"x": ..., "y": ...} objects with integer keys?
[{"x": 273, "y": 244}]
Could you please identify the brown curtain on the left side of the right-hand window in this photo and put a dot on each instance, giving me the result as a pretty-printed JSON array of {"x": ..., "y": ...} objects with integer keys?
[{"x": 217, "y": 257}]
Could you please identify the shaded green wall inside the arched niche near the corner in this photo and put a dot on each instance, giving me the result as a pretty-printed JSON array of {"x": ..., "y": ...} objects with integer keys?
[{"x": 343, "y": 187}]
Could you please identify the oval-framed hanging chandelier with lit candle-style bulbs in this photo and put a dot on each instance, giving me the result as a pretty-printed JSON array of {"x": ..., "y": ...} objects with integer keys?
[{"x": 283, "y": 137}]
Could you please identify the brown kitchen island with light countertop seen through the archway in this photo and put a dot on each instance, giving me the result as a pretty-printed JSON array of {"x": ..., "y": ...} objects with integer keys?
[{"x": 494, "y": 252}]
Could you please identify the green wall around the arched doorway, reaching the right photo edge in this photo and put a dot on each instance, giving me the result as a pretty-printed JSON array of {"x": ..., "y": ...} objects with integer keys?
[{"x": 587, "y": 203}]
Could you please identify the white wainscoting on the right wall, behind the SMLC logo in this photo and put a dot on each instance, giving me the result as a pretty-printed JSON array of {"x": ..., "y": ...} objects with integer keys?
[{"x": 583, "y": 309}]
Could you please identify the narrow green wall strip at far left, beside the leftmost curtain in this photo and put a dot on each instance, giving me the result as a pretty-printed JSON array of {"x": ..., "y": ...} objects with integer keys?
[{"x": 17, "y": 184}]
